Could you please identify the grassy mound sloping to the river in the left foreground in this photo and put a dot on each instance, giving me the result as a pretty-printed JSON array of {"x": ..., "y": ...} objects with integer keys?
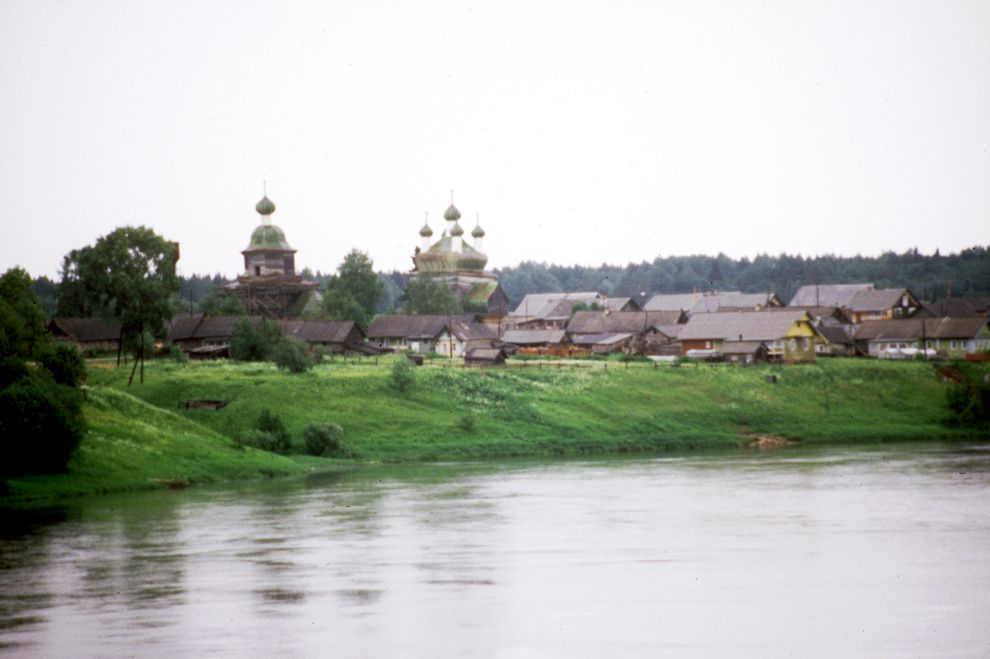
[{"x": 131, "y": 445}]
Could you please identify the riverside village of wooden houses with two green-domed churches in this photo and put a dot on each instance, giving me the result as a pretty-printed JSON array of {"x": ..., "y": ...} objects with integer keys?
[{"x": 820, "y": 320}]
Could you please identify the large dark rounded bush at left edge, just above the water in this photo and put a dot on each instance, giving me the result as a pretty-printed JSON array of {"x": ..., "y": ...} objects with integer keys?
[{"x": 40, "y": 425}]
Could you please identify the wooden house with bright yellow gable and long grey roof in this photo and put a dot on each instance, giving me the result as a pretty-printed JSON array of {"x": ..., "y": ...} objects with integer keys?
[{"x": 788, "y": 335}]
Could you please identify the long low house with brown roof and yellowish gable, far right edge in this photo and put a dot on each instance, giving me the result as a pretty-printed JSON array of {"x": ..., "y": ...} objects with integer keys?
[{"x": 954, "y": 338}]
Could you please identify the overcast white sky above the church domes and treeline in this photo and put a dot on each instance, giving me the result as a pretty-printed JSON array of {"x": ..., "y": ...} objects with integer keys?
[{"x": 583, "y": 132}]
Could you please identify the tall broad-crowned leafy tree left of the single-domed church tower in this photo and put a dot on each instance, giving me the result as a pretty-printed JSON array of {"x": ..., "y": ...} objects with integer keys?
[{"x": 129, "y": 276}]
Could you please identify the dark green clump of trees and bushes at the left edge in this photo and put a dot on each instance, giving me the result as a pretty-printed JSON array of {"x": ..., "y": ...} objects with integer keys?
[{"x": 41, "y": 419}]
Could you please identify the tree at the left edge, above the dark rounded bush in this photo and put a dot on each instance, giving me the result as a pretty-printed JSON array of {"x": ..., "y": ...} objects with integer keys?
[{"x": 22, "y": 321}]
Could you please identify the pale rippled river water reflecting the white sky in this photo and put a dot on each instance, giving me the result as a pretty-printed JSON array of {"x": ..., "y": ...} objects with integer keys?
[{"x": 877, "y": 551}]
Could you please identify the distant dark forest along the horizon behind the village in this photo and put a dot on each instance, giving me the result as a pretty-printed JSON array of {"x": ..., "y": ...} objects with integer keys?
[{"x": 928, "y": 276}]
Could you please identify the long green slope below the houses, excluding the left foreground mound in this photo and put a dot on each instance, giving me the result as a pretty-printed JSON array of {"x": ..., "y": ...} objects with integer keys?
[{"x": 553, "y": 409}]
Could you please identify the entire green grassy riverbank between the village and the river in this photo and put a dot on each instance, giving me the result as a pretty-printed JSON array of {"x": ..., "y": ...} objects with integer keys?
[{"x": 142, "y": 436}]
